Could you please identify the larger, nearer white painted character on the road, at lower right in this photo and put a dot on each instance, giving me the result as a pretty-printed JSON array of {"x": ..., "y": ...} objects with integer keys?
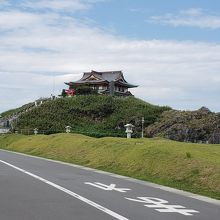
[{"x": 161, "y": 205}]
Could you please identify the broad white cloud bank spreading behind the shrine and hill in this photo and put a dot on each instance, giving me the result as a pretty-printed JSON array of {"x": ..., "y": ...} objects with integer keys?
[{"x": 53, "y": 46}]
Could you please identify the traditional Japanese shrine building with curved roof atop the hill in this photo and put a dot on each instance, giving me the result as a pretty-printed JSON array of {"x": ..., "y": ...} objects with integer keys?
[{"x": 110, "y": 82}]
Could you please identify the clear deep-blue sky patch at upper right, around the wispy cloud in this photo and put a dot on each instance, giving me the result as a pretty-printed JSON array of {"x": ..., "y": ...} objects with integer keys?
[{"x": 133, "y": 19}]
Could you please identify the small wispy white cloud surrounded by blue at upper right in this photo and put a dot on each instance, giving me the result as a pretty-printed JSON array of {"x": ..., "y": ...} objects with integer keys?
[{"x": 193, "y": 17}]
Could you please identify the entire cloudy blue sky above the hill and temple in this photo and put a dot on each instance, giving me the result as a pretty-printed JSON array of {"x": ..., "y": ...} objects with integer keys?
[{"x": 171, "y": 49}]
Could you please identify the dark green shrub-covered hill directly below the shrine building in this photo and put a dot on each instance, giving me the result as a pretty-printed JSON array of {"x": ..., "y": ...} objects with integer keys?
[{"x": 95, "y": 115}]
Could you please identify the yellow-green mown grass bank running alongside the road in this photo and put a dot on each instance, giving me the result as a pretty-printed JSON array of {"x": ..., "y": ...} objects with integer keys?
[{"x": 191, "y": 167}]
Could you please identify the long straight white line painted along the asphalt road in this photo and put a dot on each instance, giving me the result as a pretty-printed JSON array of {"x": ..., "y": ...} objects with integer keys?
[{"x": 75, "y": 195}]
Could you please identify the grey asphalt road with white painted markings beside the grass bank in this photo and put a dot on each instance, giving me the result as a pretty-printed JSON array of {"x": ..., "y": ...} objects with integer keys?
[{"x": 34, "y": 188}]
